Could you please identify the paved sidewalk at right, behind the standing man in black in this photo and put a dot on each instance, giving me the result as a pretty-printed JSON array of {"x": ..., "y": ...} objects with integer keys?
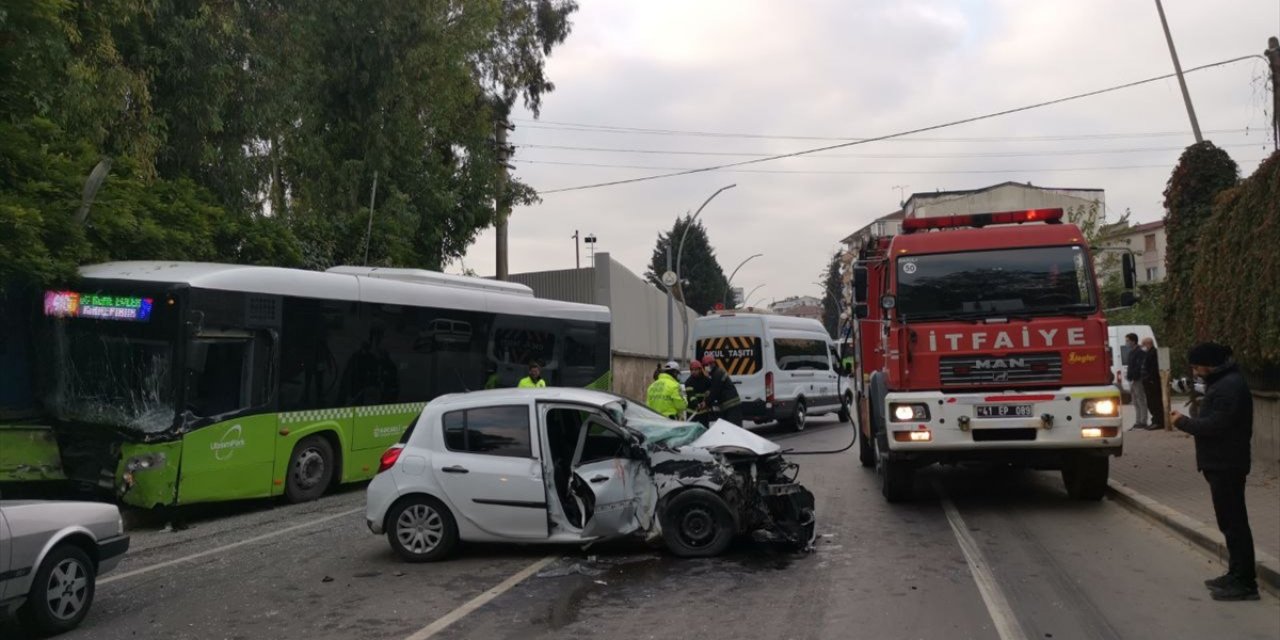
[{"x": 1158, "y": 477}]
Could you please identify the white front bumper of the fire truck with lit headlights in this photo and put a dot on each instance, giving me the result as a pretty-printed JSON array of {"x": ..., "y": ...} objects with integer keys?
[{"x": 1080, "y": 419}]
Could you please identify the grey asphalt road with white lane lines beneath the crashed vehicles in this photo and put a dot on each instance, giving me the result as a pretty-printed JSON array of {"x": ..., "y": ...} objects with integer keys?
[{"x": 982, "y": 554}]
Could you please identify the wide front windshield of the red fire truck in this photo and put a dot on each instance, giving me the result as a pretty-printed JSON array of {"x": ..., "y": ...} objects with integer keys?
[{"x": 1009, "y": 282}]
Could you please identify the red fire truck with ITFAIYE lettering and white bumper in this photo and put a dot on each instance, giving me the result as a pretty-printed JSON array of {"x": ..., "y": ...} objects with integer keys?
[{"x": 982, "y": 339}]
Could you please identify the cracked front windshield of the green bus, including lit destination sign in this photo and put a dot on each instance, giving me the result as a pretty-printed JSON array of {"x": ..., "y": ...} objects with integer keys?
[{"x": 112, "y": 364}]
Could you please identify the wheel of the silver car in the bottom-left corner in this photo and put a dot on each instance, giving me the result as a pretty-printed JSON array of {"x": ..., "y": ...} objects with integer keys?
[{"x": 70, "y": 569}]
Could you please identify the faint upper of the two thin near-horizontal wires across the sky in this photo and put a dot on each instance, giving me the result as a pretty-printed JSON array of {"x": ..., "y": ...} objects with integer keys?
[{"x": 634, "y": 131}]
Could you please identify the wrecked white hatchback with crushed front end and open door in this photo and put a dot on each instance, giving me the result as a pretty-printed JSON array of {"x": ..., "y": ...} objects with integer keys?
[{"x": 577, "y": 467}]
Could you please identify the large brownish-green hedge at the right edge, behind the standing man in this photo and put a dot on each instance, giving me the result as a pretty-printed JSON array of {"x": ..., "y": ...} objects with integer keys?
[{"x": 1236, "y": 277}]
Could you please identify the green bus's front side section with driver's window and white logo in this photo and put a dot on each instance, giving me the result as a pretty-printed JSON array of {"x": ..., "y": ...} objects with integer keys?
[{"x": 230, "y": 451}]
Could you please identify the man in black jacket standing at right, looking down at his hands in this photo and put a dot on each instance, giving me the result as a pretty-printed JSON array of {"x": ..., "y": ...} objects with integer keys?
[{"x": 1223, "y": 431}]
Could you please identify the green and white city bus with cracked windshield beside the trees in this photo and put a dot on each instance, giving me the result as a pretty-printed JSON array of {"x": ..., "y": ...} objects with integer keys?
[{"x": 179, "y": 383}]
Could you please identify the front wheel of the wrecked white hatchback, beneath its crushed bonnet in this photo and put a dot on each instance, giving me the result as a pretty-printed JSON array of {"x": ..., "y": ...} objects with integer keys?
[{"x": 697, "y": 524}]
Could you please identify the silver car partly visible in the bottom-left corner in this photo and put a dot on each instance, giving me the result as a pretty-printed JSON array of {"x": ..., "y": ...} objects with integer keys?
[{"x": 52, "y": 554}]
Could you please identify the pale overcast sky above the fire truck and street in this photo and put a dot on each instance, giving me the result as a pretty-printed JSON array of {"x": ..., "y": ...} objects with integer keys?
[{"x": 863, "y": 68}]
